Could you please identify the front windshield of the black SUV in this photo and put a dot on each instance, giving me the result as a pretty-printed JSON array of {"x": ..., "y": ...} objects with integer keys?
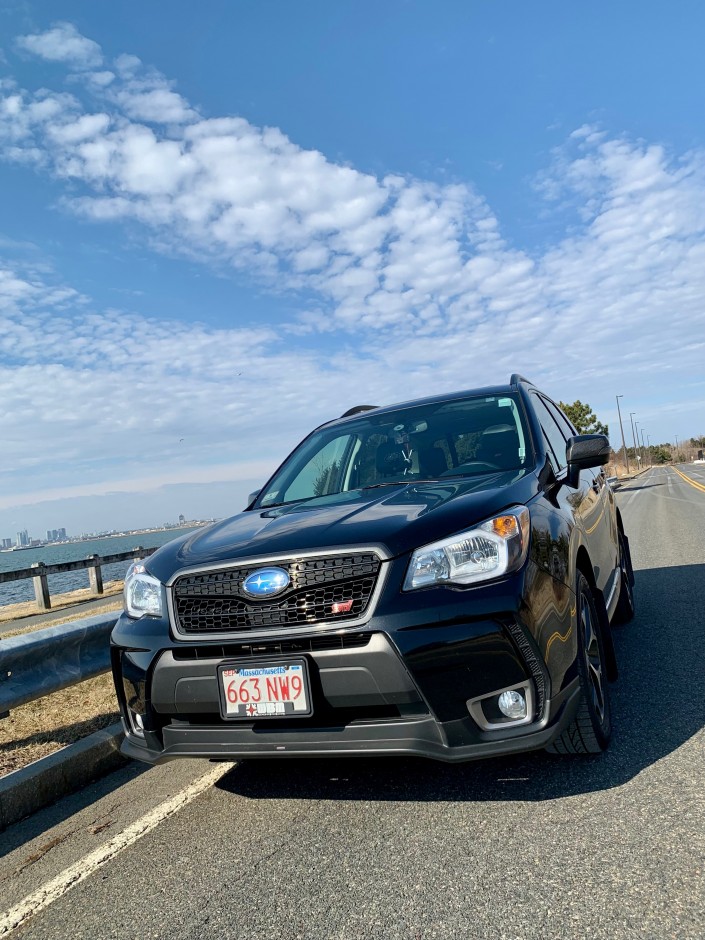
[{"x": 455, "y": 438}]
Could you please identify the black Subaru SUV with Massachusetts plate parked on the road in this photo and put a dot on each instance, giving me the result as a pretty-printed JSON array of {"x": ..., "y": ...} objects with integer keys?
[{"x": 435, "y": 578}]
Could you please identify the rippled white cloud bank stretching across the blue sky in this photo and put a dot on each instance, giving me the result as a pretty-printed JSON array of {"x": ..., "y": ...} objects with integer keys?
[{"x": 411, "y": 283}]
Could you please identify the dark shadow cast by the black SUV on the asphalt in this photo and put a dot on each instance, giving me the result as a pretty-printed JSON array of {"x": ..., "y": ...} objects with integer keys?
[{"x": 657, "y": 705}]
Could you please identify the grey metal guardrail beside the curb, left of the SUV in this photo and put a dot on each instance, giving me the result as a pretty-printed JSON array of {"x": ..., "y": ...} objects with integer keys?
[{"x": 36, "y": 664}]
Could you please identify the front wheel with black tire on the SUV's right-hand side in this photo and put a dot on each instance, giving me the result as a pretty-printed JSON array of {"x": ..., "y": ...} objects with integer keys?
[{"x": 591, "y": 729}]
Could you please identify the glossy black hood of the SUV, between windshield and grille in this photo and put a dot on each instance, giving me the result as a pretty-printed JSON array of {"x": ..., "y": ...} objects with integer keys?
[{"x": 400, "y": 518}]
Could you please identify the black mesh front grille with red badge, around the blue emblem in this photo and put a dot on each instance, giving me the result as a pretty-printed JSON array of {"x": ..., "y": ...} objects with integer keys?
[{"x": 213, "y": 601}]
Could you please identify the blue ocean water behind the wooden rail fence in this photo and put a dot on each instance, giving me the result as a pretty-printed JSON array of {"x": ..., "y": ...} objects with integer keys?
[{"x": 16, "y": 591}]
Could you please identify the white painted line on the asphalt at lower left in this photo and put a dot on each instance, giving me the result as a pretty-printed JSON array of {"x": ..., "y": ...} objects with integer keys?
[{"x": 75, "y": 874}]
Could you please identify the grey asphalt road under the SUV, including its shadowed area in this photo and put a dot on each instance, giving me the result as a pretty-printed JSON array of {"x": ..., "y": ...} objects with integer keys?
[{"x": 529, "y": 847}]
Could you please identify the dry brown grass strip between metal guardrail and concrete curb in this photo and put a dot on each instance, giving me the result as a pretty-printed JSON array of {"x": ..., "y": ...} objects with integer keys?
[{"x": 50, "y": 723}]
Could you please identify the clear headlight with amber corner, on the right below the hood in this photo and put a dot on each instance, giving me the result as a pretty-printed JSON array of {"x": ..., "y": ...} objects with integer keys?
[{"x": 489, "y": 550}]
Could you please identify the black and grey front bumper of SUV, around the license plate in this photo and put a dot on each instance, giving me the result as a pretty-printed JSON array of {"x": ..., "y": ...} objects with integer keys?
[{"x": 400, "y": 685}]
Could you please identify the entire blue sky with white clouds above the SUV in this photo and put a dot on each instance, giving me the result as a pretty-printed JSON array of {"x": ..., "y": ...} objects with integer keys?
[{"x": 223, "y": 223}]
